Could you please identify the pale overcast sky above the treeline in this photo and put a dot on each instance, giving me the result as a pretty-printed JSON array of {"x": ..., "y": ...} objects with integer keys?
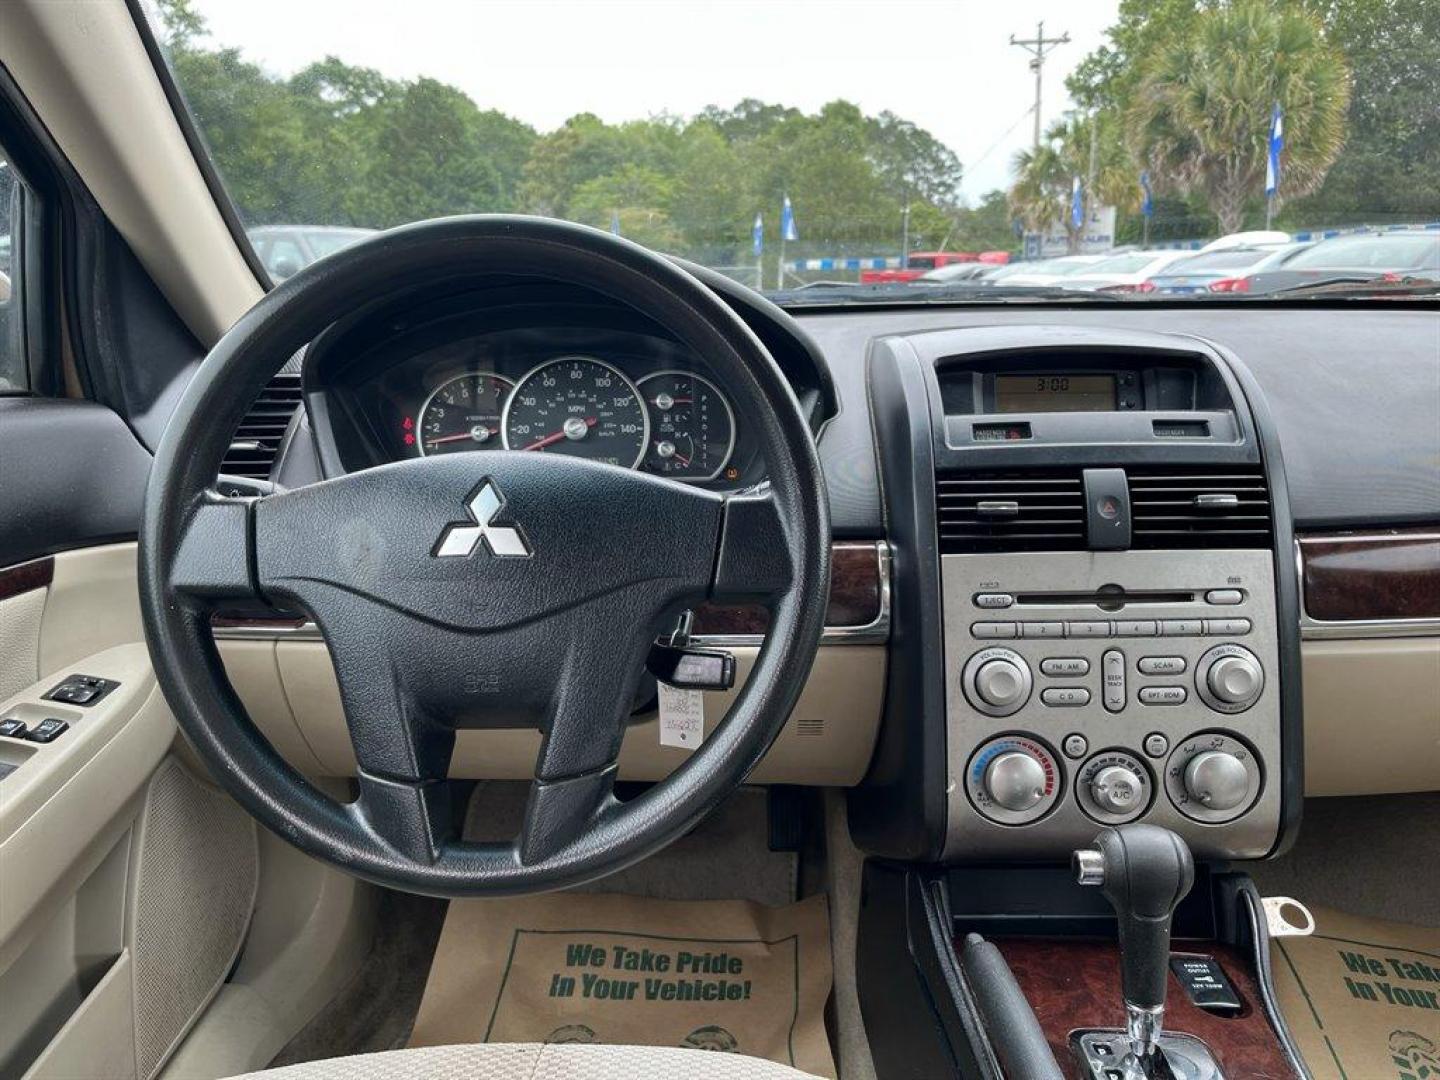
[{"x": 947, "y": 66}]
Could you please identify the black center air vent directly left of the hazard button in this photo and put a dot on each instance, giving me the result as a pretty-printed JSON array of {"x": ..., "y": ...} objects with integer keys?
[{"x": 1033, "y": 510}]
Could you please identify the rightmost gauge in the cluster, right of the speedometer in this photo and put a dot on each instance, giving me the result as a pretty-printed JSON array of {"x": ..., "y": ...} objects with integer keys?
[{"x": 692, "y": 427}]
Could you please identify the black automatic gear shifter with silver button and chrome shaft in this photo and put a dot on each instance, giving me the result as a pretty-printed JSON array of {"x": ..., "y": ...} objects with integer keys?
[{"x": 1144, "y": 872}]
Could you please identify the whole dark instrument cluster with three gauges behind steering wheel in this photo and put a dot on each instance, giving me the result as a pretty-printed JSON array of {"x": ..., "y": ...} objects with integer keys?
[{"x": 616, "y": 397}]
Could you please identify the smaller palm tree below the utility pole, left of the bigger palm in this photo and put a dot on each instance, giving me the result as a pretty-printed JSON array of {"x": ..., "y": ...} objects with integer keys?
[{"x": 1045, "y": 175}]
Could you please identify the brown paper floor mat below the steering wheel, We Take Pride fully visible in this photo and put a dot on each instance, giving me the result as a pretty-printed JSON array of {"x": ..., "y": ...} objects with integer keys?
[{"x": 621, "y": 970}]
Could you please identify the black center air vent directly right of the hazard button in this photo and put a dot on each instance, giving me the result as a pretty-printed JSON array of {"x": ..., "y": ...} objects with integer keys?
[{"x": 1200, "y": 508}]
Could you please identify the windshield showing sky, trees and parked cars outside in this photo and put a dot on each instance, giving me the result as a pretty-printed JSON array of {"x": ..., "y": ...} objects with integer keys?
[{"x": 850, "y": 143}]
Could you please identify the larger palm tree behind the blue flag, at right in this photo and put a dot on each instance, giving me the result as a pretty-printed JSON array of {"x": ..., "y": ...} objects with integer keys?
[{"x": 1200, "y": 119}]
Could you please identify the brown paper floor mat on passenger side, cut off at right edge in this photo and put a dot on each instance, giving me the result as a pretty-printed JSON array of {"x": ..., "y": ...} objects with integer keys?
[{"x": 1362, "y": 997}]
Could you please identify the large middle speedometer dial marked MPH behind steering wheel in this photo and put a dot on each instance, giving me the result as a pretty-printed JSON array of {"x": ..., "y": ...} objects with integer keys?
[{"x": 580, "y": 407}]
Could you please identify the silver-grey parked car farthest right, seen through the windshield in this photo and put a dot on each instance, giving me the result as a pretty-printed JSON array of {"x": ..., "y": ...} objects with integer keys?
[{"x": 1360, "y": 258}]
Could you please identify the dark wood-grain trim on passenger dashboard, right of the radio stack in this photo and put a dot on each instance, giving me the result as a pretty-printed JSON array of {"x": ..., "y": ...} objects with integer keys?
[{"x": 1374, "y": 577}]
